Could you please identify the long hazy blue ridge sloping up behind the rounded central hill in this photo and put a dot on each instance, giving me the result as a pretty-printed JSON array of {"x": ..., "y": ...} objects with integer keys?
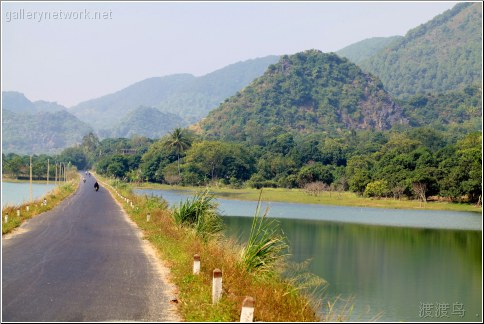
[{"x": 188, "y": 96}]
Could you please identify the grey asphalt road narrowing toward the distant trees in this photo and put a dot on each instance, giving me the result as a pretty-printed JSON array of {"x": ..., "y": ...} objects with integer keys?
[{"x": 82, "y": 261}]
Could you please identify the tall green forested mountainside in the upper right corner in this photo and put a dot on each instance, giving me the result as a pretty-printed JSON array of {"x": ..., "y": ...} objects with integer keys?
[{"x": 441, "y": 55}]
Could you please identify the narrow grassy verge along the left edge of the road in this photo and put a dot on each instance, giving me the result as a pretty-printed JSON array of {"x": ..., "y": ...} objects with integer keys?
[{"x": 18, "y": 214}]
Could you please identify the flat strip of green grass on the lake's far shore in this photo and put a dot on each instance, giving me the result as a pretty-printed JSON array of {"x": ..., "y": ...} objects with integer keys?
[{"x": 334, "y": 198}]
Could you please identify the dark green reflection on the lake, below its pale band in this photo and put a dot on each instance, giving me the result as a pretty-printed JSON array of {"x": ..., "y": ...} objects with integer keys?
[{"x": 388, "y": 269}]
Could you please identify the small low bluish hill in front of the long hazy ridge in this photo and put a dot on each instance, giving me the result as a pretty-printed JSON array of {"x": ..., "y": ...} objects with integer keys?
[{"x": 148, "y": 122}]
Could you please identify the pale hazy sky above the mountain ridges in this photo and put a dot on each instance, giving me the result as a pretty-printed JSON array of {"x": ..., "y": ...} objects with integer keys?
[{"x": 75, "y": 51}]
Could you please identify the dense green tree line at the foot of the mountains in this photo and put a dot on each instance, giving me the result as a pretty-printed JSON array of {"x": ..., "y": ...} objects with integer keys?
[{"x": 417, "y": 163}]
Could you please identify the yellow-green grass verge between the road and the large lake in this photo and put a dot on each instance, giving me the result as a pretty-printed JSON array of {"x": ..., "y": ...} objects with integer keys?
[{"x": 276, "y": 299}]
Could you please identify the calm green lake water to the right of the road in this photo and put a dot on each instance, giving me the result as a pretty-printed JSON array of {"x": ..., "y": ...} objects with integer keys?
[{"x": 412, "y": 266}]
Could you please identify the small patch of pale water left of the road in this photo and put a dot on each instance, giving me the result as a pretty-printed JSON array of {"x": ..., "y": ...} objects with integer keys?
[{"x": 19, "y": 193}]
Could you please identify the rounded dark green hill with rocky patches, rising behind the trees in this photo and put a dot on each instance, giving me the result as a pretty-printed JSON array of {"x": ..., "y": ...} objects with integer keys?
[{"x": 303, "y": 93}]
